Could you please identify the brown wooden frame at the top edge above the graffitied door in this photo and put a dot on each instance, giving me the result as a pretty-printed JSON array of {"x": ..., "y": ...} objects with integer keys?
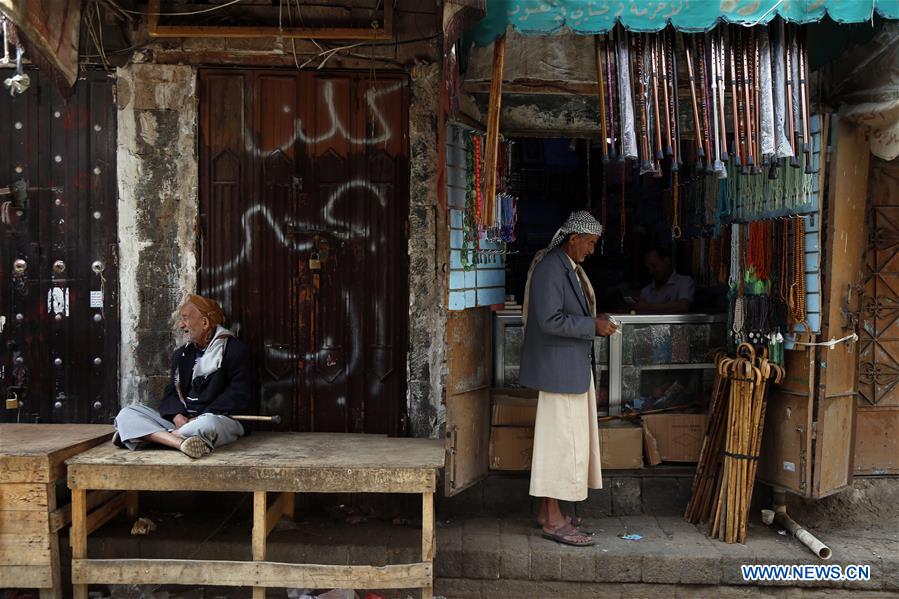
[{"x": 382, "y": 32}]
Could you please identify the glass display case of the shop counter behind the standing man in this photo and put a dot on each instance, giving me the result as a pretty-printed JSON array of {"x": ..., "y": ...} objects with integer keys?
[{"x": 654, "y": 361}]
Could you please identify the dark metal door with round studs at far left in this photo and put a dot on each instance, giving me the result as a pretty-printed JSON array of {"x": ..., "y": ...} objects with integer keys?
[{"x": 59, "y": 325}]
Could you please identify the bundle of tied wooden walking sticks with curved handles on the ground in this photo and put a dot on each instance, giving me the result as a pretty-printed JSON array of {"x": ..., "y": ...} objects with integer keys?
[{"x": 725, "y": 474}]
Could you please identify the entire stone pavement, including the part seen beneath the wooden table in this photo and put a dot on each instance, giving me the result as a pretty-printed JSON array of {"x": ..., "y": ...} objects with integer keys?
[{"x": 506, "y": 557}]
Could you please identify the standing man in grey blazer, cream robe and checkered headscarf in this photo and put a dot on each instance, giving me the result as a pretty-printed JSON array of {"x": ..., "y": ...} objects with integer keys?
[{"x": 557, "y": 360}]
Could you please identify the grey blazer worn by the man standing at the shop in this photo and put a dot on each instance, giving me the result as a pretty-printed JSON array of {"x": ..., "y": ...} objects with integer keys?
[{"x": 558, "y": 339}]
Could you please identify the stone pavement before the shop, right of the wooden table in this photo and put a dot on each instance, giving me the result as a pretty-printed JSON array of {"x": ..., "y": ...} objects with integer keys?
[{"x": 489, "y": 557}]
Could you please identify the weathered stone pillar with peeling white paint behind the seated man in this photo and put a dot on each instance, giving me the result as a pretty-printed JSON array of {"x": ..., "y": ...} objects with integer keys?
[{"x": 158, "y": 207}]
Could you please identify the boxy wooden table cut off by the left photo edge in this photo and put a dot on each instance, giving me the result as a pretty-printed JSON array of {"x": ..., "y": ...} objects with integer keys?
[{"x": 32, "y": 461}]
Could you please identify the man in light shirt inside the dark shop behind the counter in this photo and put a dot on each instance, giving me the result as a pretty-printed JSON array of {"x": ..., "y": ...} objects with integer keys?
[{"x": 669, "y": 292}]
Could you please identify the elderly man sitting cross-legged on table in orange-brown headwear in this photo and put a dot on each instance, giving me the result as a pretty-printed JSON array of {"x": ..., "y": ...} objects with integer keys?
[{"x": 210, "y": 380}]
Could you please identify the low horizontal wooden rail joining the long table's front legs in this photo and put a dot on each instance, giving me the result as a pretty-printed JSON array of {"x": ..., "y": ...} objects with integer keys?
[{"x": 258, "y": 574}]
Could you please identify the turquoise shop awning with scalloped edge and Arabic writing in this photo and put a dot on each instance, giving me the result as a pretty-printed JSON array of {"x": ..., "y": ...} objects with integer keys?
[{"x": 541, "y": 17}]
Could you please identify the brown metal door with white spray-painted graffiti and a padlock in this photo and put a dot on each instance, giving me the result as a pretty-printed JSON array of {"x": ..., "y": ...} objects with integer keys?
[{"x": 303, "y": 200}]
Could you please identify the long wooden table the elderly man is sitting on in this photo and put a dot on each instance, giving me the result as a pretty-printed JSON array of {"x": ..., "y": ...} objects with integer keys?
[{"x": 278, "y": 463}]
